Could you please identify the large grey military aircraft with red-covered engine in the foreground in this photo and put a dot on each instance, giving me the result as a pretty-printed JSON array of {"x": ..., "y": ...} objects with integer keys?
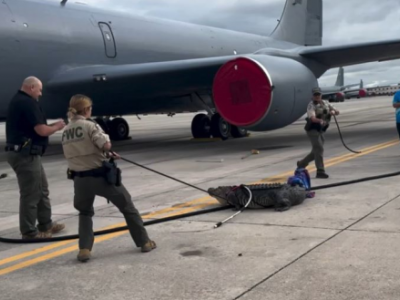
[{"x": 131, "y": 65}]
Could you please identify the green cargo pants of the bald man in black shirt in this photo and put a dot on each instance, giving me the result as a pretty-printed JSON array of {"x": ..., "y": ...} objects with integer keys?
[{"x": 34, "y": 203}]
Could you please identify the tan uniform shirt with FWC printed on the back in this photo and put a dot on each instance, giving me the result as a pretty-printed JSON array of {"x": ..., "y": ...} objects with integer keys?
[{"x": 82, "y": 143}]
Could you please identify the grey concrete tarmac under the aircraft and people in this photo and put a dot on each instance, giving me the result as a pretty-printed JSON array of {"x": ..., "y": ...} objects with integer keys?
[{"x": 342, "y": 244}]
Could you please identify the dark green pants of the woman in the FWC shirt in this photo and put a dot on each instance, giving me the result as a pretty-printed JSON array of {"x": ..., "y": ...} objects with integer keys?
[{"x": 86, "y": 189}]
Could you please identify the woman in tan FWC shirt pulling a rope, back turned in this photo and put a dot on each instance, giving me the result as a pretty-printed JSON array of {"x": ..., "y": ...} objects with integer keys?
[{"x": 84, "y": 145}]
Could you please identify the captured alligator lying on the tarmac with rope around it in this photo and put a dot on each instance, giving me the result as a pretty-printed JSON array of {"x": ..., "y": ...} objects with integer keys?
[{"x": 279, "y": 196}]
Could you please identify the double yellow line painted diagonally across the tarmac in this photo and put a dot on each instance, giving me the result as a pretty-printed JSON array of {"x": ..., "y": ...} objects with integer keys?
[{"x": 183, "y": 208}]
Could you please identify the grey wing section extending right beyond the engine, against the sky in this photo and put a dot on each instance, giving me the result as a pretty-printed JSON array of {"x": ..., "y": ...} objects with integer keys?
[{"x": 336, "y": 56}]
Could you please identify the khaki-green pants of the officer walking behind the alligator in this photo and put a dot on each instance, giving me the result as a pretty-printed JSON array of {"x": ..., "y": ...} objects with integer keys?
[{"x": 317, "y": 141}]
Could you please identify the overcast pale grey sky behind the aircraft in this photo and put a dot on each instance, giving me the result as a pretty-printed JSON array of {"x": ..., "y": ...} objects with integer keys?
[{"x": 345, "y": 21}]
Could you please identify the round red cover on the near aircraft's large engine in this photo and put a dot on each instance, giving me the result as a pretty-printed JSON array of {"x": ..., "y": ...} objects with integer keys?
[{"x": 242, "y": 92}]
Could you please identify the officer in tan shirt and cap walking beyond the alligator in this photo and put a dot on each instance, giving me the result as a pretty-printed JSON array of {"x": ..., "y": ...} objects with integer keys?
[{"x": 319, "y": 114}]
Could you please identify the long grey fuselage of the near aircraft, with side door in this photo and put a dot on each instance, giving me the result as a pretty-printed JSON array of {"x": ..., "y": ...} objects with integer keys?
[{"x": 43, "y": 38}]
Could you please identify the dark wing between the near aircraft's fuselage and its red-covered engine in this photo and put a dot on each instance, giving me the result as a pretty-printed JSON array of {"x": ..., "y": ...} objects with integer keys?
[{"x": 124, "y": 82}]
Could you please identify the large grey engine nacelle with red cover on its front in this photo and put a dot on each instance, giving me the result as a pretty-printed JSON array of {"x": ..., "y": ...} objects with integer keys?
[{"x": 261, "y": 92}]
